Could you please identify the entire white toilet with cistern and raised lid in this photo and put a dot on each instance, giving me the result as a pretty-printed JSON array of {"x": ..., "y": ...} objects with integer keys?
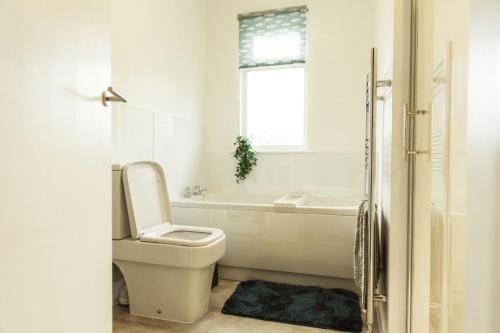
[{"x": 168, "y": 268}]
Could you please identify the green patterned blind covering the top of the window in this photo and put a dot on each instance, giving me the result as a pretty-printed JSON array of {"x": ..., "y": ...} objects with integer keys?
[{"x": 276, "y": 37}]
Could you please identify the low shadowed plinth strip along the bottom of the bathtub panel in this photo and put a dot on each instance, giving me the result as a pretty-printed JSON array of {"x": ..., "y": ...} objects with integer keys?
[{"x": 243, "y": 274}]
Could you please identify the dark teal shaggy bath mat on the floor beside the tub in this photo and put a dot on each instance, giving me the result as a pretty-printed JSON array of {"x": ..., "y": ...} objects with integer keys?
[{"x": 336, "y": 309}]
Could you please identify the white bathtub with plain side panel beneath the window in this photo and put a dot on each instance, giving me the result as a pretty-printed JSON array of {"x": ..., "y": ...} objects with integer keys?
[{"x": 315, "y": 238}]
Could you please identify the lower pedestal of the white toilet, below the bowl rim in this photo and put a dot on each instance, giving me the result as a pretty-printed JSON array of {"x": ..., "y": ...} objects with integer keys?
[{"x": 167, "y": 292}]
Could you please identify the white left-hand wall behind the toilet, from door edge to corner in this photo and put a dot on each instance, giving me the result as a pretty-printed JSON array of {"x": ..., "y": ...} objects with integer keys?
[{"x": 158, "y": 64}]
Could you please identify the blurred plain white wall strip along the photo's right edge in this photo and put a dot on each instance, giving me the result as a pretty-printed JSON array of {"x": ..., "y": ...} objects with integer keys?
[{"x": 483, "y": 232}]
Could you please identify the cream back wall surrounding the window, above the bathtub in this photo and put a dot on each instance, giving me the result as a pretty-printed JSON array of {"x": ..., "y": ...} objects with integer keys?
[{"x": 340, "y": 37}]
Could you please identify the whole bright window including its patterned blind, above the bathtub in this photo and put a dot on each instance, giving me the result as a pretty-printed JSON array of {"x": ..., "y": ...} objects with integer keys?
[{"x": 272, "y": 66}]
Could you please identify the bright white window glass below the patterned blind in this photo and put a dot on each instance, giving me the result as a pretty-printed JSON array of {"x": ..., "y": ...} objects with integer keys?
[{"x": 275, "y": 107}]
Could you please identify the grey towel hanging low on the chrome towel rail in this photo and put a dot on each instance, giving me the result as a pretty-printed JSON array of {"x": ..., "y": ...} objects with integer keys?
[{"x": 361, "y": 257}]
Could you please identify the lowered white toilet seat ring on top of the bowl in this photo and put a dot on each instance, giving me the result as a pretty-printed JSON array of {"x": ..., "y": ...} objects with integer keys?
[{"x": 167, "y": 233}]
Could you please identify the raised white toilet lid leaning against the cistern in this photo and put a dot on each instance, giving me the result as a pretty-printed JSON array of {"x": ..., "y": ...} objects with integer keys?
[{"x": 146, "y": 195}]
